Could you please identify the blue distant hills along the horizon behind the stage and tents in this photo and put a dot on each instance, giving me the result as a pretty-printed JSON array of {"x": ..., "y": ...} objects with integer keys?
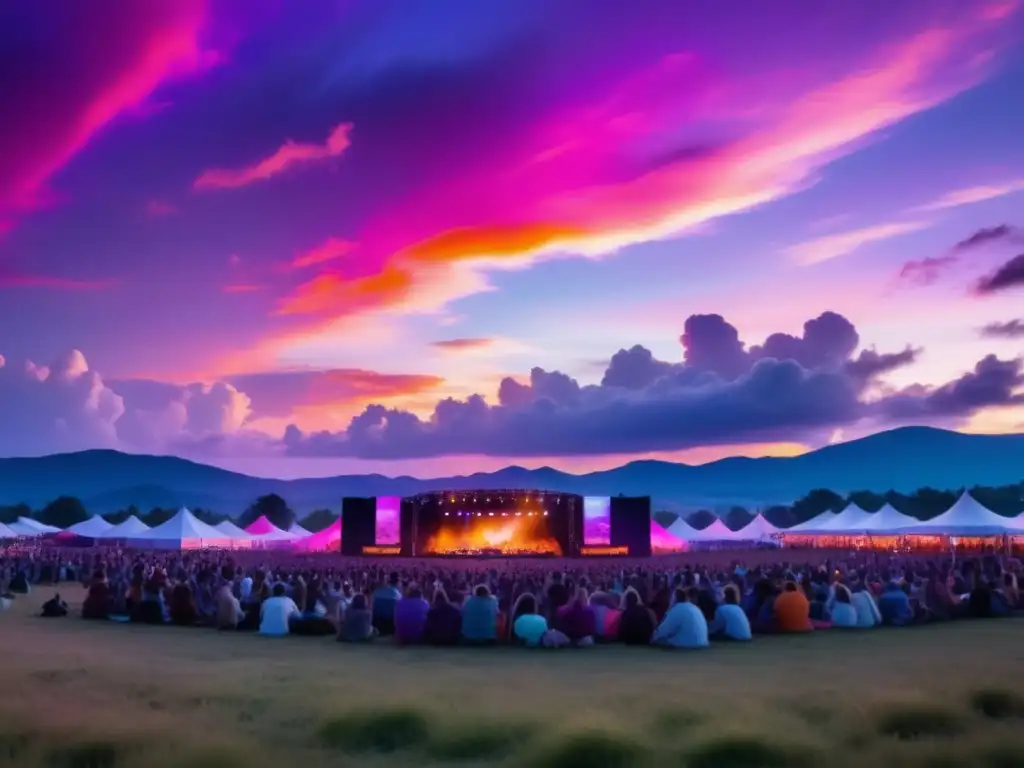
[{"x": 903, "y": 460}]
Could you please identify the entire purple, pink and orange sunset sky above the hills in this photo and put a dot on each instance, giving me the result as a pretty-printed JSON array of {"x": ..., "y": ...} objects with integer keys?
[{"x": 416, "y": 237}]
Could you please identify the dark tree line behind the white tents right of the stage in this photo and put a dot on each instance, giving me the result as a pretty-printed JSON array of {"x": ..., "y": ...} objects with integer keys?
[{"x": 922, "y": 504}]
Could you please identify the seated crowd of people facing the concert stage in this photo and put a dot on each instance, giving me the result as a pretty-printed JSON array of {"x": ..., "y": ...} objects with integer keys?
[{"x": 678, "y": 603}]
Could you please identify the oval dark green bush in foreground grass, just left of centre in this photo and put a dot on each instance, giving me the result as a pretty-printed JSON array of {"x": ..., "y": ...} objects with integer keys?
[{"x": 382, "y": 731}]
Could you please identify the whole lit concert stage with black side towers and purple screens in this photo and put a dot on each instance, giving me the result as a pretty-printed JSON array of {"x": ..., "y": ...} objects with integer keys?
[{"x": 493, "y": 523}]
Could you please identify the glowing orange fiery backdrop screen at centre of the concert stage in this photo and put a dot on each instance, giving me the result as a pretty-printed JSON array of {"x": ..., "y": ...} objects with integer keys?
[{"x": 508, "y": 532}]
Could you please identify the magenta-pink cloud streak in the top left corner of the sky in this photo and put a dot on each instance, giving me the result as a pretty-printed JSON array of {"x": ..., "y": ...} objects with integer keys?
[{"x": 62, "y": 101}]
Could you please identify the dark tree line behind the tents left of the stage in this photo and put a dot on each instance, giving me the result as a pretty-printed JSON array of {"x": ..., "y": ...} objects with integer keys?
[{"x": 66, "y": 511}]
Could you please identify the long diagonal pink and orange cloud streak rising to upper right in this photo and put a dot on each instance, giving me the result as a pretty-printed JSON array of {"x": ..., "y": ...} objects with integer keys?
[{"x": 598, "y": 178}]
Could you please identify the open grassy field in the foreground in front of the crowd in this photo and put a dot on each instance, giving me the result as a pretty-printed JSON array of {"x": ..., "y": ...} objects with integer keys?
[{"x": 76, "y": 694}]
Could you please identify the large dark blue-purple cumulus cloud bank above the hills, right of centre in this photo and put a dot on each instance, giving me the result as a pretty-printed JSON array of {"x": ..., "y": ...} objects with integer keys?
[{"x": 723, "y": 392}]
